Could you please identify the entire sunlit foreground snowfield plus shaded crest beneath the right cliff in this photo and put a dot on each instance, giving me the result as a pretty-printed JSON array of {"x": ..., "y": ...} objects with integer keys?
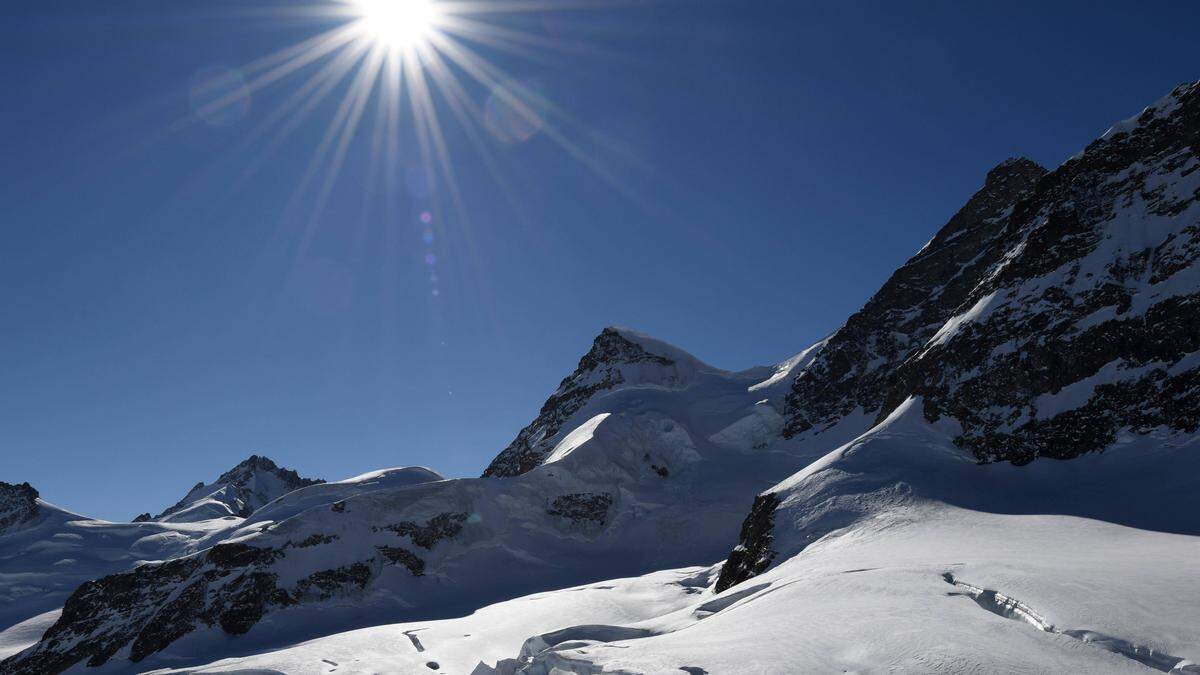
[{"x": 904, "y": 582}]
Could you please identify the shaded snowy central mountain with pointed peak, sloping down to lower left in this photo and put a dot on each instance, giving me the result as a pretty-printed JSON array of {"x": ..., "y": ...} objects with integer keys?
[{"x": 650, "y": 470}]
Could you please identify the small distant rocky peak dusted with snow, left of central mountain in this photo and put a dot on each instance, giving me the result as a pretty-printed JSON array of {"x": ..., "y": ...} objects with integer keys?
[{"x": 239, "y": 492}]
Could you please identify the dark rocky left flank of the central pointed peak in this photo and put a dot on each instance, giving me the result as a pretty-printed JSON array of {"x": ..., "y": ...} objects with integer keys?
[{"x": 601, "y": 369}]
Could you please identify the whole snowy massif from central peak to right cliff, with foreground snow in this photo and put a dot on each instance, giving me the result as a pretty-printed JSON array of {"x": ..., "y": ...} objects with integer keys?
[{"x": 992, "y": 467}]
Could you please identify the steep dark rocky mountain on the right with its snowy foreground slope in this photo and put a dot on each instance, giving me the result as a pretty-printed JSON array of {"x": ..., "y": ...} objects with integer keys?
[{"x": 1054, "y": 318}]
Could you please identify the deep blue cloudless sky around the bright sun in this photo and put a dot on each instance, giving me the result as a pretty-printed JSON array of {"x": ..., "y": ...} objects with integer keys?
[{"x": 190, "y": 274}]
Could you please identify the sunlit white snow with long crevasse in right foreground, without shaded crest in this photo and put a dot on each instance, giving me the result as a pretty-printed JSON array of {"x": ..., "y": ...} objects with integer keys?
[{"x": 875, "y": 599}]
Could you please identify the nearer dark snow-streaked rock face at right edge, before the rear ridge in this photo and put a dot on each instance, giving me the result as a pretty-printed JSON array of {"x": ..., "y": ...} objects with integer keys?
[{"x": 1099, "y": 286}]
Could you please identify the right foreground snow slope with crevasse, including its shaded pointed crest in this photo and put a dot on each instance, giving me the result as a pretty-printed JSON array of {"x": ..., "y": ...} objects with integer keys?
[{"x": 899, "y": 553}]
